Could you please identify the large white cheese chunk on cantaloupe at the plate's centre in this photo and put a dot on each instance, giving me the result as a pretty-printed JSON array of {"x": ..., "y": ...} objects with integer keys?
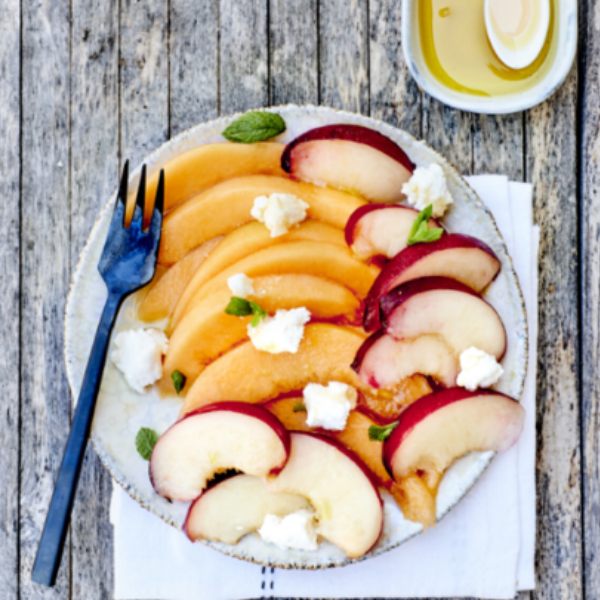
[{"x": 281, "y": 333}]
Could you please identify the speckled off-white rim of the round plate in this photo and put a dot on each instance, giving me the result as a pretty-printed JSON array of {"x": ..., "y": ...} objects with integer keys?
[{"x": 159, "y": 157}]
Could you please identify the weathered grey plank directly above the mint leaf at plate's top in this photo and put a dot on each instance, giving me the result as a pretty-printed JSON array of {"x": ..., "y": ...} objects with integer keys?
[{"x": 244, "y": 55}]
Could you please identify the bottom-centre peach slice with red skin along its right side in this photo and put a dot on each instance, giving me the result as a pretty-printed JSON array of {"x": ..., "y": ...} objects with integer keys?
[{"x": 305, "y": 446}]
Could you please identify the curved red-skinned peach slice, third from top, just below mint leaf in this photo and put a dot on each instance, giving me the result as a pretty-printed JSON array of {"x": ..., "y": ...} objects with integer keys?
[{"x": 455, "y": 256}]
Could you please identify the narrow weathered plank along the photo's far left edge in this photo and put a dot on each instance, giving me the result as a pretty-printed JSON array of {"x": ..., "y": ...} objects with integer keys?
[{"x": 10, "y": 166}]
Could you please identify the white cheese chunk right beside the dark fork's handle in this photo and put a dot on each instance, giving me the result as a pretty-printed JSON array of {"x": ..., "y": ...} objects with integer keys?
[{"x": 138, "y": 355}]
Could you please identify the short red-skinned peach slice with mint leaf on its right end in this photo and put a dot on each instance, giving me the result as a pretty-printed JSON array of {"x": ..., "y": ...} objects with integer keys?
[{"x": 381, "y": 230}]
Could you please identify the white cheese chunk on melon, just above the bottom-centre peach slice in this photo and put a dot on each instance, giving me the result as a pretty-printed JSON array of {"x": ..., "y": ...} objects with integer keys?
[{"x": 328, "y": 406}]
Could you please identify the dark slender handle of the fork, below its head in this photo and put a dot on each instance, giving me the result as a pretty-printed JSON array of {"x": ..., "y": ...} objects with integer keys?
[{"x": 50, "y": 550}]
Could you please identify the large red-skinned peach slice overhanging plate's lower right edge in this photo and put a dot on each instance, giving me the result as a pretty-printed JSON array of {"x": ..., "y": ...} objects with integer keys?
[{"x": 440, "y": 428}]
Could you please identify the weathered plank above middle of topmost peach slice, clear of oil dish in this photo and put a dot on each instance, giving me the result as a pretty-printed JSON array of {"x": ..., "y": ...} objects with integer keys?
[{"x": 344, "y": 55}]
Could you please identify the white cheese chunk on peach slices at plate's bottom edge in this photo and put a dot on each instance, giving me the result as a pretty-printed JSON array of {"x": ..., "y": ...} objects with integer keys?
[{"x": 296, "y": 530}]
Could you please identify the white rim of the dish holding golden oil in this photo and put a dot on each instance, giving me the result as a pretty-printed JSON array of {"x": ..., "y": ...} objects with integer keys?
[{"x": 566, "y": 18}]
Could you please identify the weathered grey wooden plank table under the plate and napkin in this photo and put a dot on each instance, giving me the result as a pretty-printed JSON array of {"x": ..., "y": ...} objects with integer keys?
[{"x": 86, "y": 83}]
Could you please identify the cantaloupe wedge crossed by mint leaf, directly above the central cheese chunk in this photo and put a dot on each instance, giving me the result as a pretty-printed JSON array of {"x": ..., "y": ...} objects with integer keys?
[{"x": 207, "y": 331}]
